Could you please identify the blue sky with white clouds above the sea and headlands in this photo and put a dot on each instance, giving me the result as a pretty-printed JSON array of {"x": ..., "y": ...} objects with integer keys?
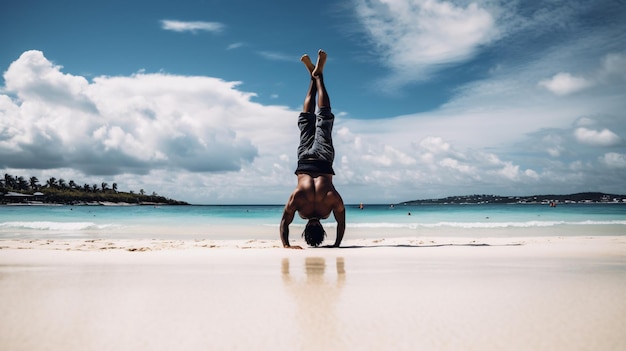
[{"x": 197, "y": 100}]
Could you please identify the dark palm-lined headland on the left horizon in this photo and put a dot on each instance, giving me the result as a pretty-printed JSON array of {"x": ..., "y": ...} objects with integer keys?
[{"x": 18, "y": 189}]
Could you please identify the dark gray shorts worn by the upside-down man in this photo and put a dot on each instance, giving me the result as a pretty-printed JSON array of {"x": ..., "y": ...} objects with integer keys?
[{"x": 316, "y": 152}]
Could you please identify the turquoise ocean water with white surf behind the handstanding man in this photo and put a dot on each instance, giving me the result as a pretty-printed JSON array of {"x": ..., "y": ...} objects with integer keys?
[{"x": 262, "y": 222}]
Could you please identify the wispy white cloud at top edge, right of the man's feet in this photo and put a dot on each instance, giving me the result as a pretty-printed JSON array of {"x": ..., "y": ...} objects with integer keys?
[{"x": 416, "y": 37}]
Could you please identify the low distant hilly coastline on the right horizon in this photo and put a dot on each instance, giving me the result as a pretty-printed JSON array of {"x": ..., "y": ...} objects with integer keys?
[{"x": 589, "y": 197}]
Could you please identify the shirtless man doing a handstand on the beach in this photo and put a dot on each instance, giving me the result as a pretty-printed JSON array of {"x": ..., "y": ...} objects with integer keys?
[{"x": 315, "y": 196}]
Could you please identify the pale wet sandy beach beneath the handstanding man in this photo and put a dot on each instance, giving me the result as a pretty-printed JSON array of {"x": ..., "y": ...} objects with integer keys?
[{"x": 373, "y": 294}]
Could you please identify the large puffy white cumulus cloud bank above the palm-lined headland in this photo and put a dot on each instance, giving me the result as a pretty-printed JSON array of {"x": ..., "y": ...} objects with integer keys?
[{"x": 133, "y": 124}]
